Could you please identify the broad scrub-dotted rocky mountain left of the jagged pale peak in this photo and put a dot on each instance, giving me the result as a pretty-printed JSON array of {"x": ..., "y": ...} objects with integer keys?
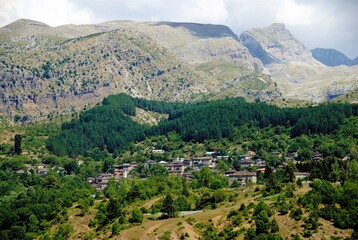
[{"x": 47, "y": 71}]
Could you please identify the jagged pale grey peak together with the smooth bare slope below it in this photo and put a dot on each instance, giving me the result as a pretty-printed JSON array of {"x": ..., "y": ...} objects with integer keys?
[{"x": 291, "y": 65}]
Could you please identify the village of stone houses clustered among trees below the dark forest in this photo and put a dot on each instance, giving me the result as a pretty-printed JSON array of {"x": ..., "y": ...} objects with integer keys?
[{"x": 250, "y": 167}]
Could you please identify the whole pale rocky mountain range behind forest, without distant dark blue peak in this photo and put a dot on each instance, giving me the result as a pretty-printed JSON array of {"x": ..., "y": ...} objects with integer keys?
[{"x": 53, "y": 71}]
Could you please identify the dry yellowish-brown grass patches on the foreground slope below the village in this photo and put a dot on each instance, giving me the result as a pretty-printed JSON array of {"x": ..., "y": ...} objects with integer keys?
[{"x": 153, "y": 229}]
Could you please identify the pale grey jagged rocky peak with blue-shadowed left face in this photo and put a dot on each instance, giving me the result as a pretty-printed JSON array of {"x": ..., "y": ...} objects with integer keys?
[{"x": 275, "y": 44}]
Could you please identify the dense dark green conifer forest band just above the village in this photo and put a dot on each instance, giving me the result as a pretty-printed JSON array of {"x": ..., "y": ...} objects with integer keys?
[{"x": 110, "y": 127}]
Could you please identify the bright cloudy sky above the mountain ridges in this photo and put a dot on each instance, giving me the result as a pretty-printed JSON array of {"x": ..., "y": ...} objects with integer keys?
[{"x": 317, "y": 23}]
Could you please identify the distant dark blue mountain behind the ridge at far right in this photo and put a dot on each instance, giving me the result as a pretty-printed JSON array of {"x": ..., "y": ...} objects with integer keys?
[{"x": 332, "y": 57}]
